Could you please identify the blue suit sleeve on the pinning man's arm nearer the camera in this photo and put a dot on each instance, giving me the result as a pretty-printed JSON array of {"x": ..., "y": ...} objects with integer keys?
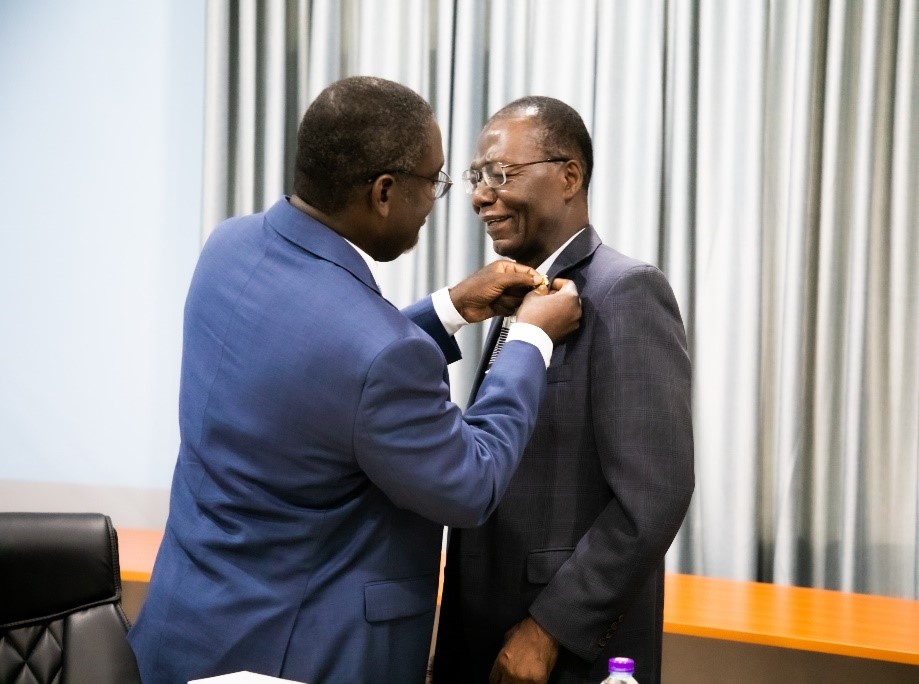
[{"x": 423, "y": 452}]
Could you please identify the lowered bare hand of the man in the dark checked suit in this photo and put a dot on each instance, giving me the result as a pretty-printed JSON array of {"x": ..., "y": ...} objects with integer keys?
[{"x": 528, "y": 656}]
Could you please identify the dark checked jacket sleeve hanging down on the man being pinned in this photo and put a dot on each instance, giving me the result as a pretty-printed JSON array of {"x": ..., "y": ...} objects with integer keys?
[{"x": 640, "y": 397}]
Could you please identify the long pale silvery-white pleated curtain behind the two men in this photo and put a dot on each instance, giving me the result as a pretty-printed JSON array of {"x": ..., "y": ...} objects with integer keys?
[{"x": 764, "y": 154}]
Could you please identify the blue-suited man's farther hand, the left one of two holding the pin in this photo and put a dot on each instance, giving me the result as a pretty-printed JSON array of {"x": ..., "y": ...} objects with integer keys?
[{"x": 495, "y": 290}]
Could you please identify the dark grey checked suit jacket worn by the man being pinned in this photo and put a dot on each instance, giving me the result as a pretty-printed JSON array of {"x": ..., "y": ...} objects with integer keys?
[{"x": 579, "y": 539}]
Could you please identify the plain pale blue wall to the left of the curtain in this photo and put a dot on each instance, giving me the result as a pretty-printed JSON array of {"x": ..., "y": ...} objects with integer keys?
[{"x": 101, "y": 129}]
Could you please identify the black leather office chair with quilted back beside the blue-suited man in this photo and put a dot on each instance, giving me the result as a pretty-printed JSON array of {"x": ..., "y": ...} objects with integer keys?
[{"x": 61, "y": 620}]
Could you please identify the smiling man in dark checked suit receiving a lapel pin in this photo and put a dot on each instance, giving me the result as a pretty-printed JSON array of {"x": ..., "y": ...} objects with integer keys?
[{"x": 569, "y": 569}]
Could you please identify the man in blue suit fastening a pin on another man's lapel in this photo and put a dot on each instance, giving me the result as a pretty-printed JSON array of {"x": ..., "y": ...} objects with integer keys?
[{"x": 320, "y": 454}]
